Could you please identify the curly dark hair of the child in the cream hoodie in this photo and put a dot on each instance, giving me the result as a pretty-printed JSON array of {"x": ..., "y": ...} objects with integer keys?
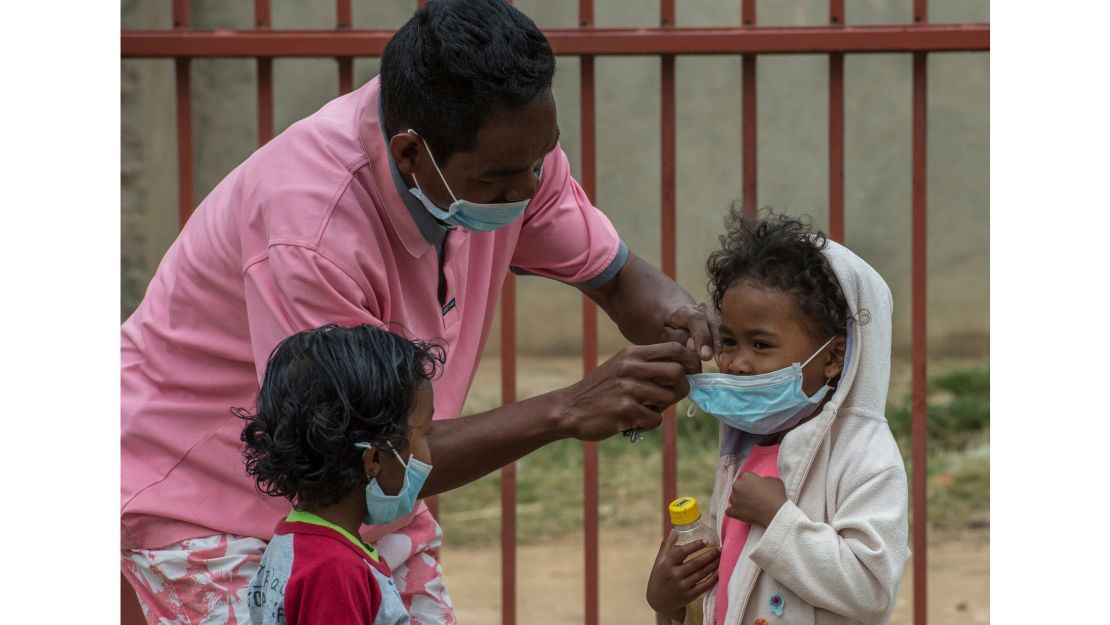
[{"x": 780, "y": 253}]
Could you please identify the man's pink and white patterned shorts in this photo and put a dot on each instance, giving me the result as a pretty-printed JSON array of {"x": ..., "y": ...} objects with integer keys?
[{"x": 205, "y": 581}]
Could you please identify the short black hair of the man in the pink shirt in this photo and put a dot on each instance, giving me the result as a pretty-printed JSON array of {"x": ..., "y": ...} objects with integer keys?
[{"x": 455, "y": 62}]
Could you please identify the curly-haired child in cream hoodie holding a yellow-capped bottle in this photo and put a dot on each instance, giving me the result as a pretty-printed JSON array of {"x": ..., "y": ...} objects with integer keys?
[{"x": 811, "y": 496}]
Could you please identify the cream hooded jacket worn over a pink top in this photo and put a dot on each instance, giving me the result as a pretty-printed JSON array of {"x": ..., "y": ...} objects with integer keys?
[{"x": 836, "y": 550}]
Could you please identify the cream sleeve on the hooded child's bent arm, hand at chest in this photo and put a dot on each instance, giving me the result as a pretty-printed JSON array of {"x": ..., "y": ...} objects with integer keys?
[{"x": 852, "y": 567}]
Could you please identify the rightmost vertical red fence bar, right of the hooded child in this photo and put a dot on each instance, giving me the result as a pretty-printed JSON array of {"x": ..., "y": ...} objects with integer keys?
[{"x": 919, "y": 270}]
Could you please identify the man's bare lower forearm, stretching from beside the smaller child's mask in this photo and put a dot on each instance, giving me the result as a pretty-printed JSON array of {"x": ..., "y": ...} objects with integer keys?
[{"x": 469, "y": 448}]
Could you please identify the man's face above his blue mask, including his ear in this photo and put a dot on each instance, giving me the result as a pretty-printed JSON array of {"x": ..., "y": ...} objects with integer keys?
[{"x": 503, "y": 166}]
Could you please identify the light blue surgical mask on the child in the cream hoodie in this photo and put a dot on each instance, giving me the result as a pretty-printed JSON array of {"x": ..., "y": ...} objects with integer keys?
[{"x": 759, "y": 405}]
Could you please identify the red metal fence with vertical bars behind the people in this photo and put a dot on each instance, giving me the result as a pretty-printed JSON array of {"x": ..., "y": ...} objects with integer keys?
[{"x": 587, "y": 43}]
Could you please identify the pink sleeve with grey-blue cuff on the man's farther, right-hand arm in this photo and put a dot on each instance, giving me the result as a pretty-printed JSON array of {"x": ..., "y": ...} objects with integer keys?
[{"x": 564, "y": 237}]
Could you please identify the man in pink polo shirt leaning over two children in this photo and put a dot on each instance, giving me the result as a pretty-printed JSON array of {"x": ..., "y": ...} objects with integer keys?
[{"x": 405, "y": 203}]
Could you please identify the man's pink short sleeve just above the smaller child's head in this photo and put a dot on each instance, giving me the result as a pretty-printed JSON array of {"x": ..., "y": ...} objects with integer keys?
[{"x": 295, "y": 289}]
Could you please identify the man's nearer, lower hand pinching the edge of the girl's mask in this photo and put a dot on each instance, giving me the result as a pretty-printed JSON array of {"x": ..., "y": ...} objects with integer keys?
[{"x": 631, "y": 390}]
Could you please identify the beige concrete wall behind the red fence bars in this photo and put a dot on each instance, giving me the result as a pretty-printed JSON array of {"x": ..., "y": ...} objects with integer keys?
[{"x": 793, "y": 148}]
